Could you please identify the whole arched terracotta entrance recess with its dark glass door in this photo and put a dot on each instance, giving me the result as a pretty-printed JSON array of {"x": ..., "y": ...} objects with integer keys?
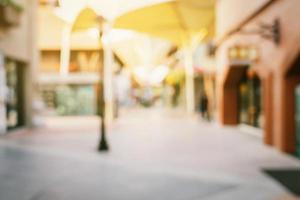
[{"x": 242, "y": 97}]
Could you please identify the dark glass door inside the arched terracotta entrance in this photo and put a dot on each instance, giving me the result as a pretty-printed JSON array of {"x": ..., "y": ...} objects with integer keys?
[{"x": 250, "y": 98}]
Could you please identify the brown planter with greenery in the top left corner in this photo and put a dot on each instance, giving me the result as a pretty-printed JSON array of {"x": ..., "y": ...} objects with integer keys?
[{"x": 10, "y": 13}]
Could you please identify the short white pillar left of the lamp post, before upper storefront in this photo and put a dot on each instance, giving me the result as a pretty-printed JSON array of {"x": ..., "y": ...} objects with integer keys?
[{"x": 65, "y": 50}]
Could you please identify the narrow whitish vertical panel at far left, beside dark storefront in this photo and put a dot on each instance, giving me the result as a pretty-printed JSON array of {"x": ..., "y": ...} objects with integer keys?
[{"x": 2, "y": 96}]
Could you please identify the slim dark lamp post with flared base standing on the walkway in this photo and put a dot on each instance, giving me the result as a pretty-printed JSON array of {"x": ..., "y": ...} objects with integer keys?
[{"x": 103, "y": 145}]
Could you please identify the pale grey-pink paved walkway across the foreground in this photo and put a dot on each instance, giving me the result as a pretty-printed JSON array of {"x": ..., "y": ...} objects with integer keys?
[{"x": 154, "y": 154}]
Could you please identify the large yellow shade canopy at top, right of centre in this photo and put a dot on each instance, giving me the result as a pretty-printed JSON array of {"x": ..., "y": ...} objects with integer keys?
[{"x": 178, "y": 21}]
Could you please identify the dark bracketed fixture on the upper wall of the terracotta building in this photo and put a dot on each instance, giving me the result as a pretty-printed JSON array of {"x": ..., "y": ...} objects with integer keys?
[{"x": 268, "y": 31}]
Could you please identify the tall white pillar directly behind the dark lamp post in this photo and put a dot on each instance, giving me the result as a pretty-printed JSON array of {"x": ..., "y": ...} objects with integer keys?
[{"x": 108, "y": 74}]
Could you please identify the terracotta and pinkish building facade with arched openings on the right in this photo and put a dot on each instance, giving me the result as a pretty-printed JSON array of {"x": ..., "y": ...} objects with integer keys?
[{"x": 258, "y": 67}]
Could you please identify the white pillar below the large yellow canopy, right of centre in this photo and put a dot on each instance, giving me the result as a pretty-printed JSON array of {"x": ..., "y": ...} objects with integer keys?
[{"x": 189, "y": 80}]
